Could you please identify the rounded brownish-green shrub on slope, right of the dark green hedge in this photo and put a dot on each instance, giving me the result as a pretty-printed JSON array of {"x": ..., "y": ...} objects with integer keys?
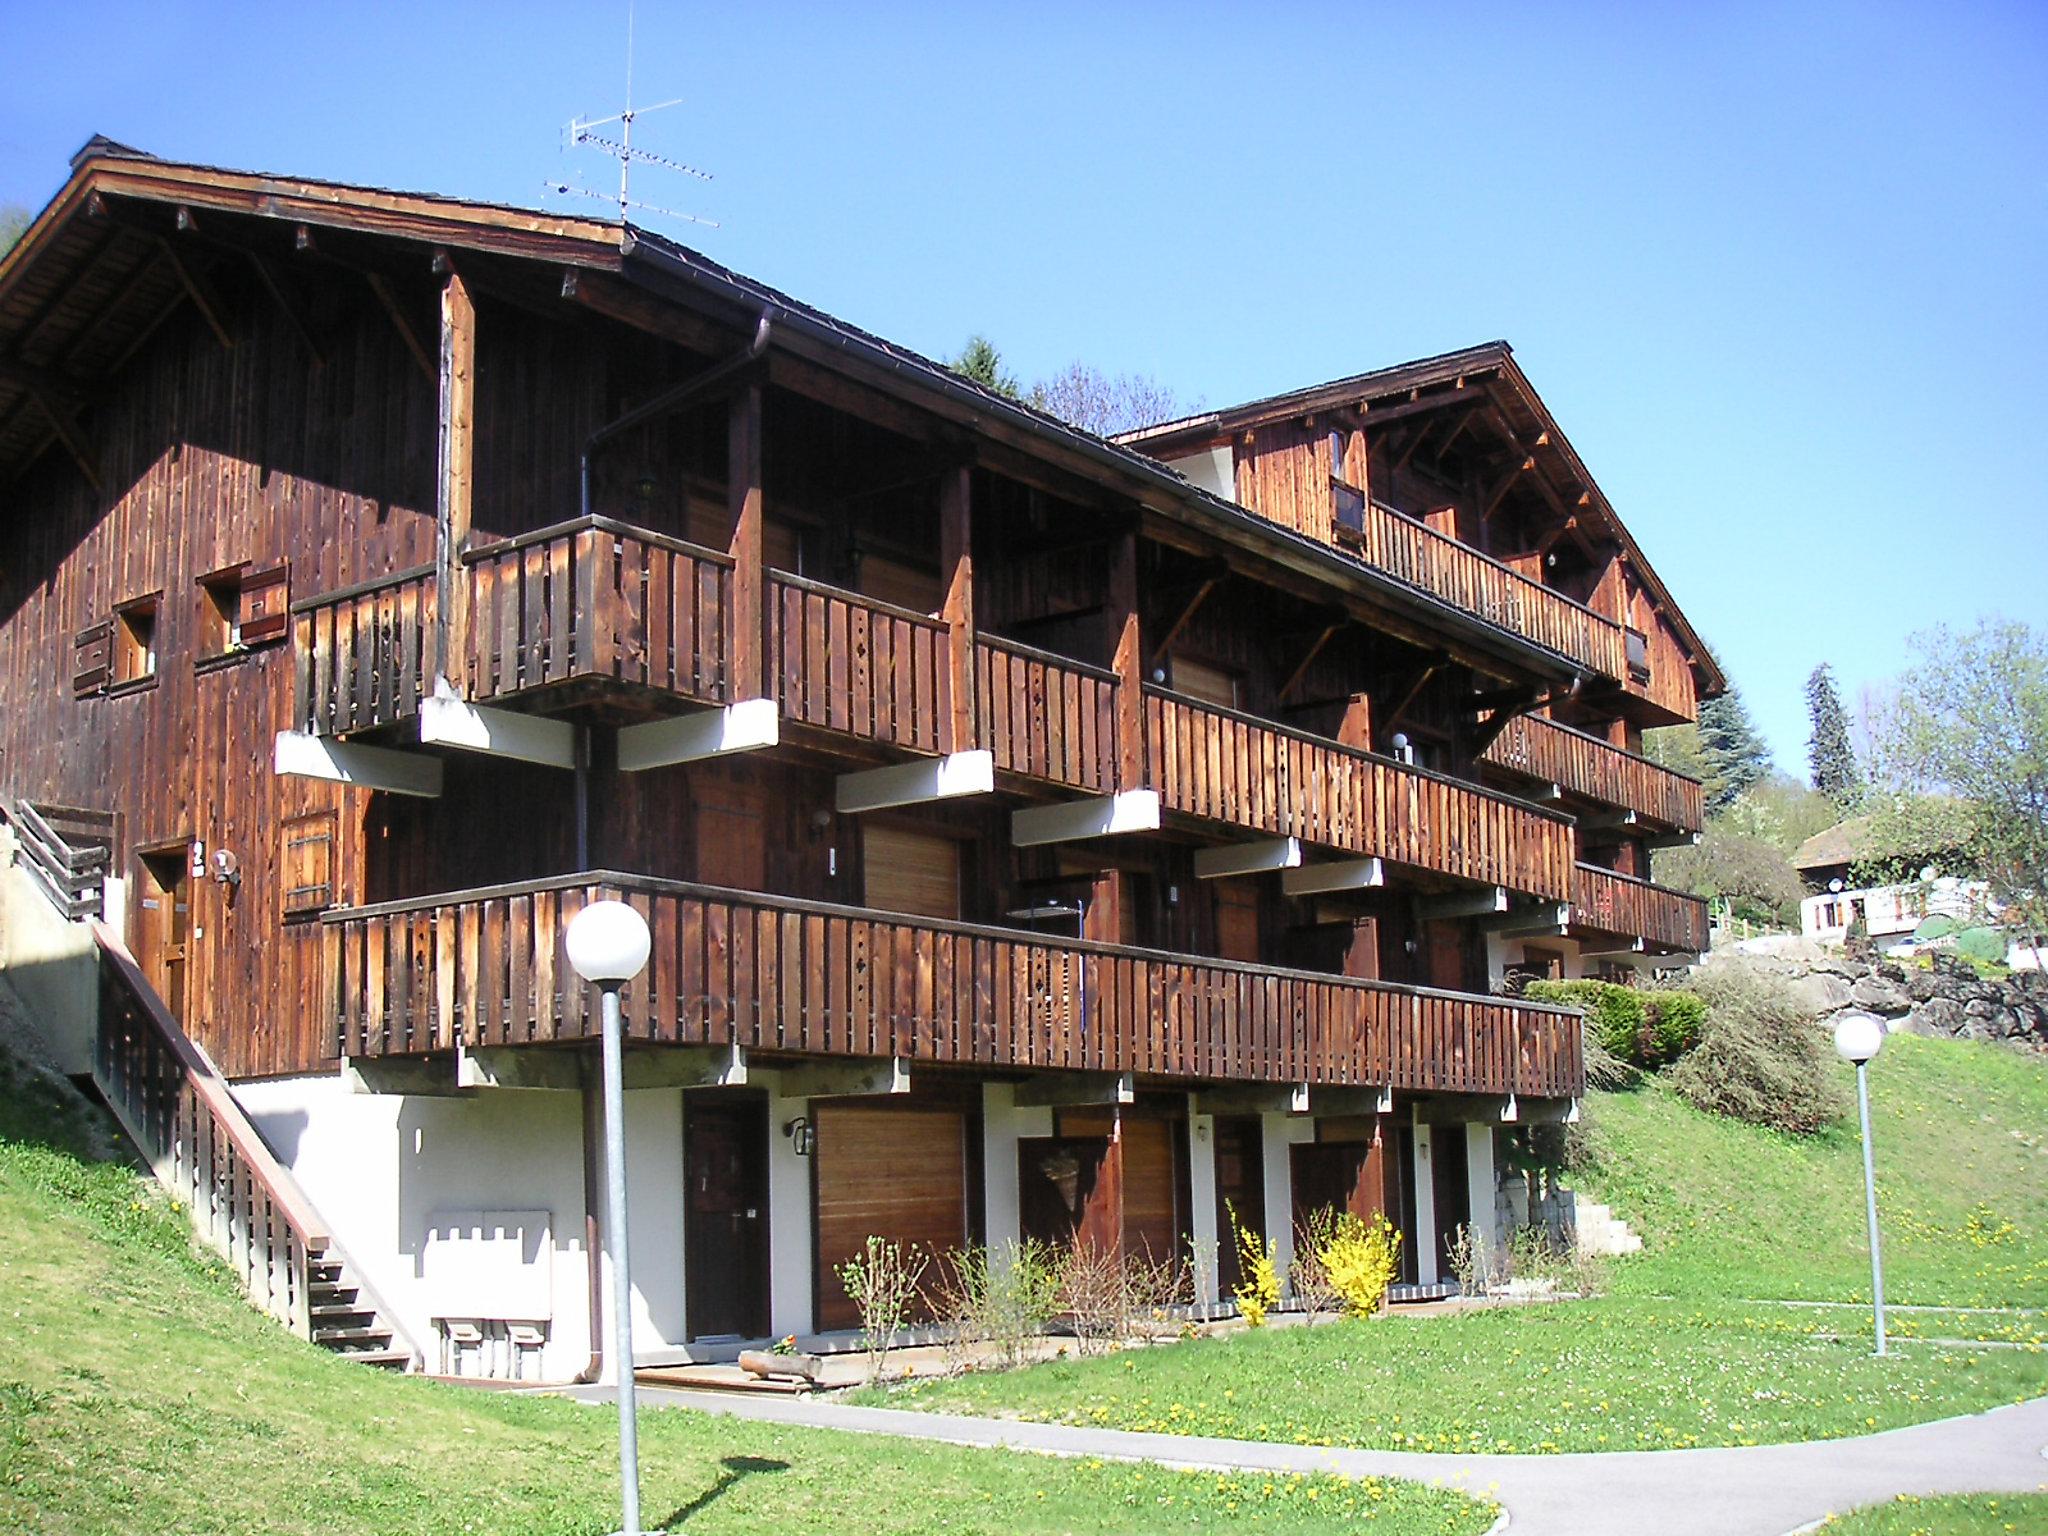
[{"x": 1760, "y": 1058}]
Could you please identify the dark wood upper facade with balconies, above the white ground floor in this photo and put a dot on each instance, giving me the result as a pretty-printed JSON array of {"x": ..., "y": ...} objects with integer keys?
[{"x": 288, "y": 458}]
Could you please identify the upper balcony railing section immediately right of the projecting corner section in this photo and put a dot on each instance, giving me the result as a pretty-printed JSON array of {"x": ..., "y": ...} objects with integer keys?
[{"x": 855, "y": 665}]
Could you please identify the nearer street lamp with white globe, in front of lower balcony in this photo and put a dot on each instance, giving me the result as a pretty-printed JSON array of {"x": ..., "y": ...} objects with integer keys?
[{"x": 609, "y": 945}]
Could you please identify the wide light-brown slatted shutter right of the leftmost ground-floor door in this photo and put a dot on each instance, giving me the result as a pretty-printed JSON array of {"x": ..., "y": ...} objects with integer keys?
[{"x": 886, "y": 1172}]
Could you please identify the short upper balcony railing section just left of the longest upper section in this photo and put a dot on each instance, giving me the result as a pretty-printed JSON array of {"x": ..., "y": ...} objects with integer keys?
[{"x": 1046, "y": 716}]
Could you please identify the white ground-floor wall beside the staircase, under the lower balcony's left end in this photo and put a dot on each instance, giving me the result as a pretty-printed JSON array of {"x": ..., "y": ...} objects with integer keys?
[{"x": 380, "y": 1166}]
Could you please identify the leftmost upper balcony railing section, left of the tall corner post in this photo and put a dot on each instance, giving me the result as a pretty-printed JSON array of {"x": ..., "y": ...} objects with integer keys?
[{"x": 366, "y": 654}]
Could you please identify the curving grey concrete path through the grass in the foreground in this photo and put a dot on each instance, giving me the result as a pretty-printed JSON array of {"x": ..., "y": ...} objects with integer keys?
[{"x": 1752, "y": 1492}]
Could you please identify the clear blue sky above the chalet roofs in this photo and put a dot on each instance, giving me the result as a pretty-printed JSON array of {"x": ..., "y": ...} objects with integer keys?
[{"x": 1779, "y": 269}]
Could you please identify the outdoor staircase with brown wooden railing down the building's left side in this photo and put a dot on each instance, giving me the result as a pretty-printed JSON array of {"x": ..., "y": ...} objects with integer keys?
[{"x": 179, "y": 1113}]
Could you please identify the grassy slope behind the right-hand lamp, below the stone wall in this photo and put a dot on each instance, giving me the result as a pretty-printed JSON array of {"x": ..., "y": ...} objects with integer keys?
[{"x": 1734, "y": 1211}]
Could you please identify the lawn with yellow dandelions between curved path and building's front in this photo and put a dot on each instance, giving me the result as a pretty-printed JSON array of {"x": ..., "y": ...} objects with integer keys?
[{"x": 1605, "y": 1375}]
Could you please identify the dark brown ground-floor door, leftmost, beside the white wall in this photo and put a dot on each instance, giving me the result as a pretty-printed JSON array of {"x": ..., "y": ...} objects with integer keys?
[{"x": 726, "y": 1218}]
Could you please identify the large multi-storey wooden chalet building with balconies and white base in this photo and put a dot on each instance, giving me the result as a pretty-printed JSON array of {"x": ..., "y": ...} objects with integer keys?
[{"x": 1039, "y": 835}]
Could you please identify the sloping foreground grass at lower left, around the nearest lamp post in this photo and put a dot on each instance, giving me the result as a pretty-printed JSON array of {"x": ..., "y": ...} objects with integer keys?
[{"x": 140, "y": 1396}]
